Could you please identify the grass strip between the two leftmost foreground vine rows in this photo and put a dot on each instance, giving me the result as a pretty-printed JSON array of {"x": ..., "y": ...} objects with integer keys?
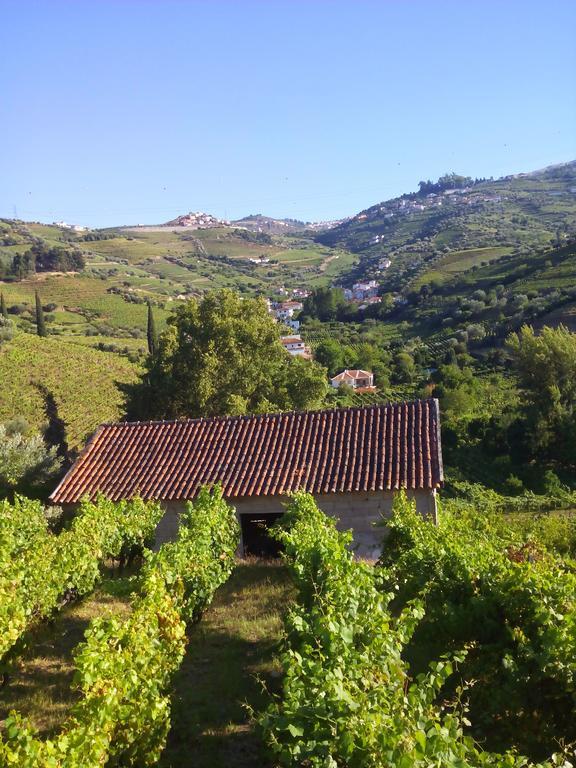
[{"x": 40, "y": 687}]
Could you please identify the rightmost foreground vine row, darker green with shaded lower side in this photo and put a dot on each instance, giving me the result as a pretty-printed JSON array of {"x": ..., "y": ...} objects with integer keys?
[{"x": 505, "y": 598}]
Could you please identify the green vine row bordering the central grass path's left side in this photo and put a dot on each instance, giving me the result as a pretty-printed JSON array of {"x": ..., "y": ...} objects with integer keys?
[{"x": 124, "y": 669}]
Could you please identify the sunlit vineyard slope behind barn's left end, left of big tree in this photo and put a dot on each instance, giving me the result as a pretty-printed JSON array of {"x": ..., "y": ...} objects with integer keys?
[{"x": 46, "y": 380}]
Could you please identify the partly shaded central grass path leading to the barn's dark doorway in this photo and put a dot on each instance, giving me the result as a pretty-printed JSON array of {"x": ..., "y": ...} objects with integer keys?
[{"x": 231, "y": 649}]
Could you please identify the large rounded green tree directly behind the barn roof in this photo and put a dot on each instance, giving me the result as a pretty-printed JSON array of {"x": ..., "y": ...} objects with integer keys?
[{"x": 222, "y": 355}]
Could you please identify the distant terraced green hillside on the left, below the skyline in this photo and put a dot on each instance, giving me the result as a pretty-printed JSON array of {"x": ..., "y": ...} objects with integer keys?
[{"x": 105, "y": 303}]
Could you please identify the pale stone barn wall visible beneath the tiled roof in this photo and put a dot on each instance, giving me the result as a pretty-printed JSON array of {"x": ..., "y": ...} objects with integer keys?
[{"x": 356, "y": 511}]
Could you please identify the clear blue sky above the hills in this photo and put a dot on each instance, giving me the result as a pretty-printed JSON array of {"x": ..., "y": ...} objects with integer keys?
[{"x": 135, "y": 111}]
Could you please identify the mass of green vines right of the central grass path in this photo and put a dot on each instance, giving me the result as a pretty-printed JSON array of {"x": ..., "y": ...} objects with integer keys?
[{"x": 362, "y": 688}]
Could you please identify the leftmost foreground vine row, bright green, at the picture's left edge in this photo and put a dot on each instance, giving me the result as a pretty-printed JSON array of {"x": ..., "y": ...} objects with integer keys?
[{"x": 39, "y": 571}]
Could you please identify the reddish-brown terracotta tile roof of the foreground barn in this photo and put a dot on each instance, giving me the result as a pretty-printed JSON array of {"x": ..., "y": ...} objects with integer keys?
[{"x": 342, "y": 450}]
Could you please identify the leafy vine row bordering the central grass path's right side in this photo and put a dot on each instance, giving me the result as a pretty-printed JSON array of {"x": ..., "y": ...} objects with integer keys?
[{"x": 347, "y": 697}]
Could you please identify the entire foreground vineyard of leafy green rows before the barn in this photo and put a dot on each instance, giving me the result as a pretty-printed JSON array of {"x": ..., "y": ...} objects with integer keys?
[{"x": 456, "y": 649}]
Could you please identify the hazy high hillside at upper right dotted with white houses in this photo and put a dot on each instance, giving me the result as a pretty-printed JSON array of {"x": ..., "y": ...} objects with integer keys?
[{"x": 431, "y": 235}]
